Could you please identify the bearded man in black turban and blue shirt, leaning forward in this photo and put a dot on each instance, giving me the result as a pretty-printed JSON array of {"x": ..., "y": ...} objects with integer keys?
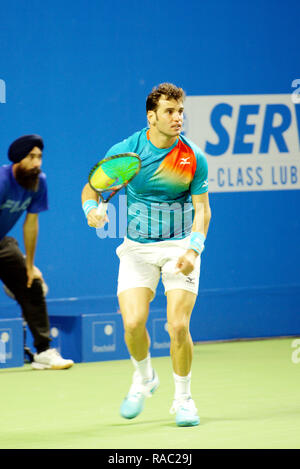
[{"x": 23, "y": 188}]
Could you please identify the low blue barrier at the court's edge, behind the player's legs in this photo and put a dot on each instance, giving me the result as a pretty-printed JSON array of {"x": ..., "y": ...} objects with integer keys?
[{"x": 91, "y": 329}]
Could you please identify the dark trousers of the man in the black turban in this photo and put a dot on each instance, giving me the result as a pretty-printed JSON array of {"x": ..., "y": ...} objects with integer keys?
[{"x": 32, "y": 300}]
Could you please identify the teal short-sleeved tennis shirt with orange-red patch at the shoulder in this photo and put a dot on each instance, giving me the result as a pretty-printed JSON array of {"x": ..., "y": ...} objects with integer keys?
[{"x": 159, "y": 204}]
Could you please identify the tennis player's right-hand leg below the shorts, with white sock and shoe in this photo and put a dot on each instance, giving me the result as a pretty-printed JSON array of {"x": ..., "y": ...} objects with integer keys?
[{"x": 179, "y": 310}]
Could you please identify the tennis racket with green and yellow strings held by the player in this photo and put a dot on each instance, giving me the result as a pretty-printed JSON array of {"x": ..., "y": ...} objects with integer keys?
[{"x": 112, "y": 174}]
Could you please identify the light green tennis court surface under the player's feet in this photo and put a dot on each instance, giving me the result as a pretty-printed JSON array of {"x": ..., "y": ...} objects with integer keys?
[{"x": 247, "y": 393}]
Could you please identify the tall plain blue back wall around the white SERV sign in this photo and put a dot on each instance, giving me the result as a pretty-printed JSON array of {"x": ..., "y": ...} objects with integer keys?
[{"x": 78, "y": 73}]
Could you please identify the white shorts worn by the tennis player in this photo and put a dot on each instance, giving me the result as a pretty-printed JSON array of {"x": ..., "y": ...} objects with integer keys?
[{"x": 142, "y": 265}]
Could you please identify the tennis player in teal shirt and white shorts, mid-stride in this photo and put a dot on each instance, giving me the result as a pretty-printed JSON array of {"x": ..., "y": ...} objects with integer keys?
[{"x": 168, "y": 217}]
